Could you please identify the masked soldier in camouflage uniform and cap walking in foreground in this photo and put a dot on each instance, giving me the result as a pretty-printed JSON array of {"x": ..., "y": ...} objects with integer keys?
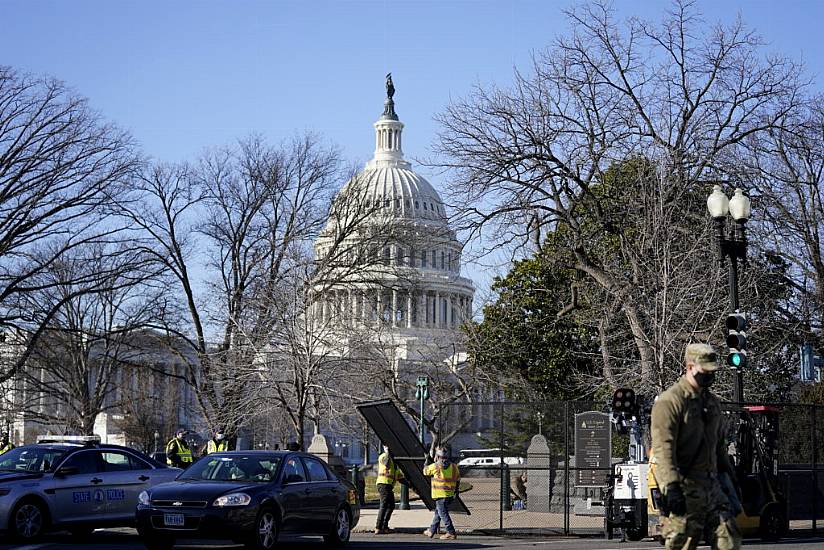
[{"x": 689, "y": 451}]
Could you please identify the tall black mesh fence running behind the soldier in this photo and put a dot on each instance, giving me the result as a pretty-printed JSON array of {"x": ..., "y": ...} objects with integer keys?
[{"x": 512, "y": 494}]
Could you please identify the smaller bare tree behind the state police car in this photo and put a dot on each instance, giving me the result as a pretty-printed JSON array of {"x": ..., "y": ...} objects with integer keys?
[{"x": 75, "y": 370}]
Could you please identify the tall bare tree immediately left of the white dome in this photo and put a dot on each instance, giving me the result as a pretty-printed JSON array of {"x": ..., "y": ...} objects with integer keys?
[{"x": 251, "y": 209}]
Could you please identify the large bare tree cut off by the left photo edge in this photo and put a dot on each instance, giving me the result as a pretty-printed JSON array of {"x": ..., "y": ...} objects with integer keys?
[{"x": 60, "y": 167}]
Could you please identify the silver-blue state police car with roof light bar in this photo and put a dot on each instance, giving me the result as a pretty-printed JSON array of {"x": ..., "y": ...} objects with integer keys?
[{"x": 74, "y": 487}]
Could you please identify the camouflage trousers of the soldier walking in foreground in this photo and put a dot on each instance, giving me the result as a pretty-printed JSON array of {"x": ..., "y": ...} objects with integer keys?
[{"x": 708, "y": 518}]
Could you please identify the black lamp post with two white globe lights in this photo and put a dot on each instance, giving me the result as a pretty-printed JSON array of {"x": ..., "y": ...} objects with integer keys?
[{"x": 734, "y": 248}]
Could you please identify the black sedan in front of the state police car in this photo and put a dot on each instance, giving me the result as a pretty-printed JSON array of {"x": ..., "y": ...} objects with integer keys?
[{"x": 250, "y": 497}]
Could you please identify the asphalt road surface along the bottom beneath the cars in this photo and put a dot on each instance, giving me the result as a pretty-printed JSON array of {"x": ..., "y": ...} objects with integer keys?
[{"x": 127, "y": 539}]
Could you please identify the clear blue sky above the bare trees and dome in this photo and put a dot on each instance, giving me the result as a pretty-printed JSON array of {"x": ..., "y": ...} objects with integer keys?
[{"x": 184, "y": 75}]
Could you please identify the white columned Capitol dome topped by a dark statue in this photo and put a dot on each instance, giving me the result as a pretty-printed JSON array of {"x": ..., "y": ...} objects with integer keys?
[{"x": 412, "y": 293}]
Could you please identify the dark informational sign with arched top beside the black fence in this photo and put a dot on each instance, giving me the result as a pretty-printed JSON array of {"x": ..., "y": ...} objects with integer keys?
[{"x": 593, "y": 449}]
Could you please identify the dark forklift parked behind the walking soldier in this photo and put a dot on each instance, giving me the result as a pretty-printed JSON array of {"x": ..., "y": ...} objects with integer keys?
[{"x": 754, "y": 458}]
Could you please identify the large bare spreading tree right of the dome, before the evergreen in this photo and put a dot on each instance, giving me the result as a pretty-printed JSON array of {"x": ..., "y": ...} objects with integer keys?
[{"x": 667, "y": 108}]
